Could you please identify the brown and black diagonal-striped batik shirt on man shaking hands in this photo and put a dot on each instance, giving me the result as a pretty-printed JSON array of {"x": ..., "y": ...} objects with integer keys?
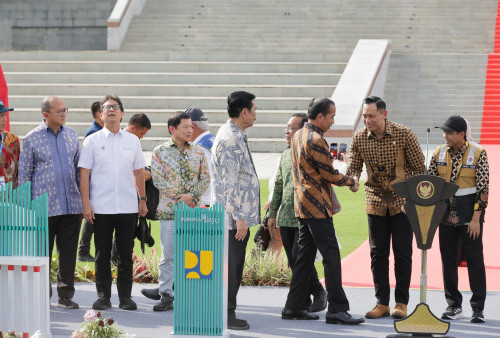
[{"x": 313, "y": 174}]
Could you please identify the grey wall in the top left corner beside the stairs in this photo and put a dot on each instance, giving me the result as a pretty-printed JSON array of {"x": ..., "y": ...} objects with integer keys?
[{"x": 54, "y": 24}]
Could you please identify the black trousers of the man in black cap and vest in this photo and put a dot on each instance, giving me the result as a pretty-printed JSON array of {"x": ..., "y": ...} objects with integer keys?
[{"x": 449, "y": 238}]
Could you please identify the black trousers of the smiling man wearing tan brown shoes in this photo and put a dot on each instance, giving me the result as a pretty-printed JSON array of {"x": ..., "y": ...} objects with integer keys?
[{"x": 381, "y": 230}]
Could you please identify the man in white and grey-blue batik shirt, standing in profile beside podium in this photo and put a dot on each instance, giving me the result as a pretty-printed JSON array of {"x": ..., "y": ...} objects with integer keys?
[{"x": 236, "y": 188}]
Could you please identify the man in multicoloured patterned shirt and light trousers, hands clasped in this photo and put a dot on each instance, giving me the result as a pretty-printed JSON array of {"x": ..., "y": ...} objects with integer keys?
[{"x": 180, "y": 172}]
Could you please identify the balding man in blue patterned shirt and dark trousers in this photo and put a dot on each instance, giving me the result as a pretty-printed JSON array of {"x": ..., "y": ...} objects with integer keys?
[{"x": 49, "y": 159}]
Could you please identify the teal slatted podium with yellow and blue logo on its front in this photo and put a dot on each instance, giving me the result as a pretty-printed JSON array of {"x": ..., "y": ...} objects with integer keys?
[{"x": 199, "y": 271}]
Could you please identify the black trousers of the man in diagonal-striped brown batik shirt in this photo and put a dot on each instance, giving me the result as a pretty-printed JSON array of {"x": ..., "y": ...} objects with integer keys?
[{"x": 317, "y": 234}]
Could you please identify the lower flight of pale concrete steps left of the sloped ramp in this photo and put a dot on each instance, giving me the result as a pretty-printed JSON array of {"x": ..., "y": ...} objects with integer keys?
[{"x": 158, "y": 88}]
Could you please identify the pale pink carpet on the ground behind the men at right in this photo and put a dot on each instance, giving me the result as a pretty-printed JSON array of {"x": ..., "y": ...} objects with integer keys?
[{"x": 356, "y": 267}]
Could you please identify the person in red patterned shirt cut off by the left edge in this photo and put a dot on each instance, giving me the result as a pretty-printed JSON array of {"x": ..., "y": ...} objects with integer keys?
[{"x": 9, "y": 150}]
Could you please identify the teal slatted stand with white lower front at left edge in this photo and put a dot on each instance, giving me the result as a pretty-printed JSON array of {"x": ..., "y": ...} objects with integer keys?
[{"x": 24, "y": 263}]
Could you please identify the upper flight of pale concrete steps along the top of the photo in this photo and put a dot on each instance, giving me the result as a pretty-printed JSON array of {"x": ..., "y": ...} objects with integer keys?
[{"x": 423, "y": 26}]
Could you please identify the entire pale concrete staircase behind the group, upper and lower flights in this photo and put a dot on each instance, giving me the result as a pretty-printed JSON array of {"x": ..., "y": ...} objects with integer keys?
[{"x": 188, "y": 53}]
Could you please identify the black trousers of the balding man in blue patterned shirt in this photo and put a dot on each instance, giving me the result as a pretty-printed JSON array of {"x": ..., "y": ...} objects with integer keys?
[{"x": 65, "y": 229}]
